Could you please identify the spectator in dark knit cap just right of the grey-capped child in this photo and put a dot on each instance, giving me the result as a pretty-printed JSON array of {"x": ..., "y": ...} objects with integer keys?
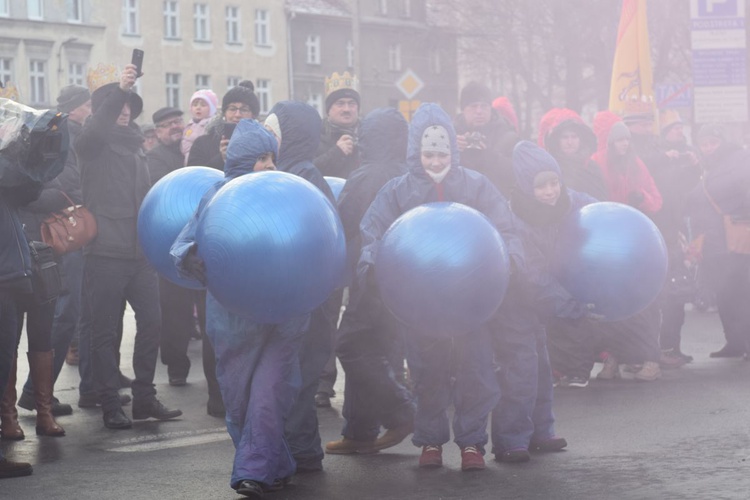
[{"x": 485, "y": 138}]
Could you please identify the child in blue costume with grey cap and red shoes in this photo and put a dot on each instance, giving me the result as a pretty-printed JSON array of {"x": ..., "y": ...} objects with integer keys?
[{"x": 434, "y": 175}]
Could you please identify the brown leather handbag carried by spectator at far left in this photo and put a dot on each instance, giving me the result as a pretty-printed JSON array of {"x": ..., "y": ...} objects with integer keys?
[{"x": 70, "y": 229}]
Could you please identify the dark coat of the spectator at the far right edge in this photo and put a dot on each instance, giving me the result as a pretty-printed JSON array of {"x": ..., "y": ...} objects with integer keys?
[{"x": 727, "y": 180}]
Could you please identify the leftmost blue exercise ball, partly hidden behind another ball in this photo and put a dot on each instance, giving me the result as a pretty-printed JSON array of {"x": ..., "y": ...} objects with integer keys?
[{"x": 165, "y": 210}]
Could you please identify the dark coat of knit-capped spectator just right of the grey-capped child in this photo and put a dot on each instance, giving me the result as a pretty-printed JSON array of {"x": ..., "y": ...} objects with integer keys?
[{"x": 494, "y": 161}]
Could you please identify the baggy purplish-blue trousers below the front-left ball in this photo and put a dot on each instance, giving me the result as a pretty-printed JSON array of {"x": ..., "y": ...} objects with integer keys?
[{"x": 257, "y": 368}]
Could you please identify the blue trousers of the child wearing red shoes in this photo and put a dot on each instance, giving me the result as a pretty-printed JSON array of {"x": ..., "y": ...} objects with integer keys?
[{"x": 456, "y": 371}]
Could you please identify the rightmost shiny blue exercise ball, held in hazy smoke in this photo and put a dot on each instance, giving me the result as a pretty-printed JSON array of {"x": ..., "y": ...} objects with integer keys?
[{"x": 613, "y": 256}]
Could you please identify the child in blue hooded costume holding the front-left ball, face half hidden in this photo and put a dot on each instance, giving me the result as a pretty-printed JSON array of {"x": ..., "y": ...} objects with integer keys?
[{"x": 257, "y": 365}]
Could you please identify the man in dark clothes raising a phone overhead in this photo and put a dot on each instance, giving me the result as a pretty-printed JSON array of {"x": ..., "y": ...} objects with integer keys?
[{"x": 115, "y": 180}]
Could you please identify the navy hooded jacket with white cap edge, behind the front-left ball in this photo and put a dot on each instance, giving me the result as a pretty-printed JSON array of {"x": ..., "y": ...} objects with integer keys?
[{"x": 300, "y": 135}]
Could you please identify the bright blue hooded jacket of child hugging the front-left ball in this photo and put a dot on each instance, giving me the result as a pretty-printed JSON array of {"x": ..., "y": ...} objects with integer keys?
[{"x": 249, "y": 142}]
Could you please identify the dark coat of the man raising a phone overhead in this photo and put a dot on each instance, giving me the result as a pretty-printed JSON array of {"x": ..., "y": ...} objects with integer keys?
[{"x": 114, "y": 176}]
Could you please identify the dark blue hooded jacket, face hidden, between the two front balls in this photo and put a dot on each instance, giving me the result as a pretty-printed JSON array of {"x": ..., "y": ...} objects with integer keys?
[{"x": 383, "y": 135}]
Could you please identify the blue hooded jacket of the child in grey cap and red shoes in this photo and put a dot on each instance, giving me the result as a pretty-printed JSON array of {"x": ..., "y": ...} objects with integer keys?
[{"x": 417, "y": 188}]
